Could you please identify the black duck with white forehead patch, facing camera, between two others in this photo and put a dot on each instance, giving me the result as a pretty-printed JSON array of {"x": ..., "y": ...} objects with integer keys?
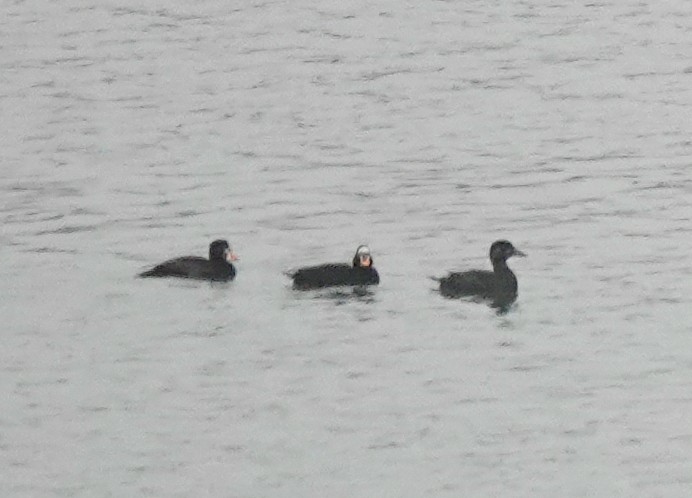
[{"x": 360, "y": 272}]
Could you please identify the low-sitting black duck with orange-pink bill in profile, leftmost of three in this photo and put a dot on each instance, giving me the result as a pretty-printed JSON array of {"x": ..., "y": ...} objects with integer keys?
[{"x": 219, "y": 266}]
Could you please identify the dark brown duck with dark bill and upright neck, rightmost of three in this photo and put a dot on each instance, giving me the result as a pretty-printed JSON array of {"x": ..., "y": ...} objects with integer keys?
[{"x": 498, "y": 286}]
